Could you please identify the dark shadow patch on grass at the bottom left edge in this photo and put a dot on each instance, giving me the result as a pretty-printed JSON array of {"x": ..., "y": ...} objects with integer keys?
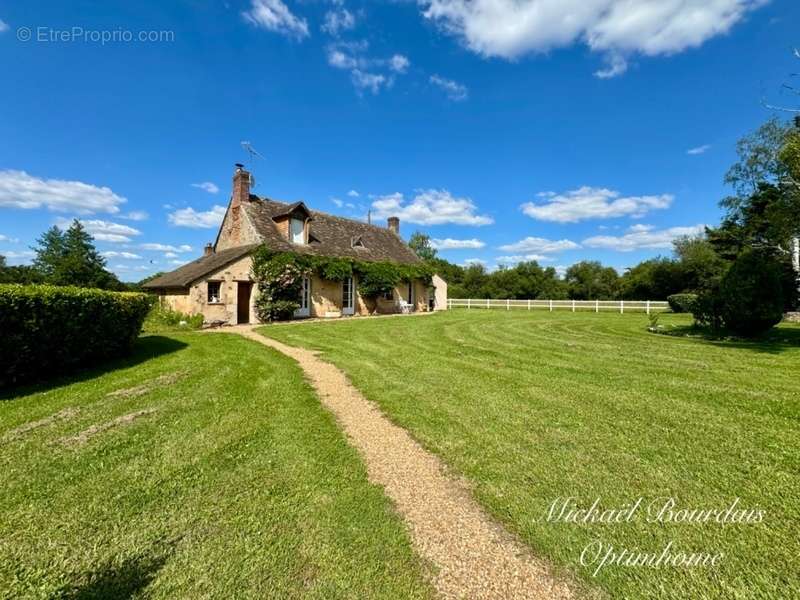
[{"x": 119, "y": 581}]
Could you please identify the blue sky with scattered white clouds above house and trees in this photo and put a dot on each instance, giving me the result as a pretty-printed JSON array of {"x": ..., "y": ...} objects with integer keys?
[{"x": 562, "y": 130}]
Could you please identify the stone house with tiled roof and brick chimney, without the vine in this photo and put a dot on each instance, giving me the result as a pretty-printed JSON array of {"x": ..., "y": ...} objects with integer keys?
[{"x": 219, "y": 285}]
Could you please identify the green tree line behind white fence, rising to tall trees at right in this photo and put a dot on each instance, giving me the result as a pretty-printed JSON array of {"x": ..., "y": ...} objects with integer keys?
[{"x": 760, "y": 229}]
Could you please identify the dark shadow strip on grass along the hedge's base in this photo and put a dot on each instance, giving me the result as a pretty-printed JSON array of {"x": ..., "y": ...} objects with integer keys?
[{"x": 146, "y": 348}]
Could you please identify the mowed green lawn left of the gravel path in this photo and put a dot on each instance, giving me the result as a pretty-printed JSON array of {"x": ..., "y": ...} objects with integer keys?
[{"x": 236, "y": 485}]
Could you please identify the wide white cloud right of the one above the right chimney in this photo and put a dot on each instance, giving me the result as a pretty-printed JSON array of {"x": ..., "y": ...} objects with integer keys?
[{"x": 593, "y": 203}]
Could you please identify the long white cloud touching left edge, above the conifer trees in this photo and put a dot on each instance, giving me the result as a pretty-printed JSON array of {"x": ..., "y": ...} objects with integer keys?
[{"x": 20, "y": 190}]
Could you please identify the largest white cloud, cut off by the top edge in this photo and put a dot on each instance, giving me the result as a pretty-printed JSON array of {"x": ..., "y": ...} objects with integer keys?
[{"x": 615, "y": 28}]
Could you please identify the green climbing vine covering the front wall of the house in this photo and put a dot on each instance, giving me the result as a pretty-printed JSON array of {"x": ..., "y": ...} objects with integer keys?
[{"x": 280, "y": 274}]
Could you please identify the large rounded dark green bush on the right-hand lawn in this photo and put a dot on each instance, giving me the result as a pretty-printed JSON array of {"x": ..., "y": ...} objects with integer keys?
[{"x": 752, "y": 295}]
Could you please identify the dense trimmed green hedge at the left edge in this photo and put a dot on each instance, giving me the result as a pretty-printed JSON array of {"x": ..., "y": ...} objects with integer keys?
[{"x": 48, "y": 330}]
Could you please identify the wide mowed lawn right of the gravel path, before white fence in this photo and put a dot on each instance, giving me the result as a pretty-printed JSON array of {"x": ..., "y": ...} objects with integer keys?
[{"x": 532, "y": 407}]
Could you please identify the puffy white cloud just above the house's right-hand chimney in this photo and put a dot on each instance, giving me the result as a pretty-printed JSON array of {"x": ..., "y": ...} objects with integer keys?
[{"x": 430, "y": 207}]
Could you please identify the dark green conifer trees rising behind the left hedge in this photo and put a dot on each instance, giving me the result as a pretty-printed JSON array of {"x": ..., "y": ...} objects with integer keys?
[{"x": 70, "y": 258}]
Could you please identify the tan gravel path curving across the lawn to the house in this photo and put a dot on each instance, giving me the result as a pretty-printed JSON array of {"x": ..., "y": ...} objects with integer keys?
[{"x": 474, "y": 556}]
